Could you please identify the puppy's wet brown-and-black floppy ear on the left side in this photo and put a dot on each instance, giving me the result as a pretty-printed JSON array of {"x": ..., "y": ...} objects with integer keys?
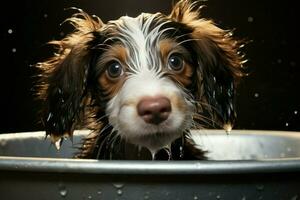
[{"x": 63, "y": 84}]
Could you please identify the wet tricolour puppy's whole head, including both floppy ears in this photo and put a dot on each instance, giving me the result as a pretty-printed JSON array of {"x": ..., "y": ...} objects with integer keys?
[{"x": 151, "y": 77}]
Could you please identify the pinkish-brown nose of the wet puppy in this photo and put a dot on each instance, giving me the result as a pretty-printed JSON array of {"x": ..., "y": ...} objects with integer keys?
[{"x": 154, "y": 110}]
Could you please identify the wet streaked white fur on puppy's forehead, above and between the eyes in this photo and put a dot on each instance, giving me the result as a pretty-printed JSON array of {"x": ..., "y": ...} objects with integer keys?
[{"x": 141, "y": 37}]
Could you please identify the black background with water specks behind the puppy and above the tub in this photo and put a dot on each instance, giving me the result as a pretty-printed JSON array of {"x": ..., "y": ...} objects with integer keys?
[{"x": 268, "y": 99}]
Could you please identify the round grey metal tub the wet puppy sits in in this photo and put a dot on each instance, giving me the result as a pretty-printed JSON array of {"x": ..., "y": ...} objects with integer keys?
[{"x": 243, "y": 165}]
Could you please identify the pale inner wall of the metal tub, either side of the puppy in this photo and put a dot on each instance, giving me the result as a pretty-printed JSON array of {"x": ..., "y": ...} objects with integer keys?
[{"x": 236, "y": 145}]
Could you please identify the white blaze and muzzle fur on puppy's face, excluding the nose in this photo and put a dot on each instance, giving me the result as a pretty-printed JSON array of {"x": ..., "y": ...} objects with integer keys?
[{"x": 146, "y": 80}]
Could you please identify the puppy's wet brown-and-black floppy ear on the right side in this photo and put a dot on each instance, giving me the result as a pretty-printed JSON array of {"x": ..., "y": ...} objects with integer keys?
[{"x": 219, "y": 63}]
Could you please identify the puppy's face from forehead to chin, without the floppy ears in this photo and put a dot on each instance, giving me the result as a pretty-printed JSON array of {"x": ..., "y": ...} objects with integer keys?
[{"x": 144, "y": 73}]
